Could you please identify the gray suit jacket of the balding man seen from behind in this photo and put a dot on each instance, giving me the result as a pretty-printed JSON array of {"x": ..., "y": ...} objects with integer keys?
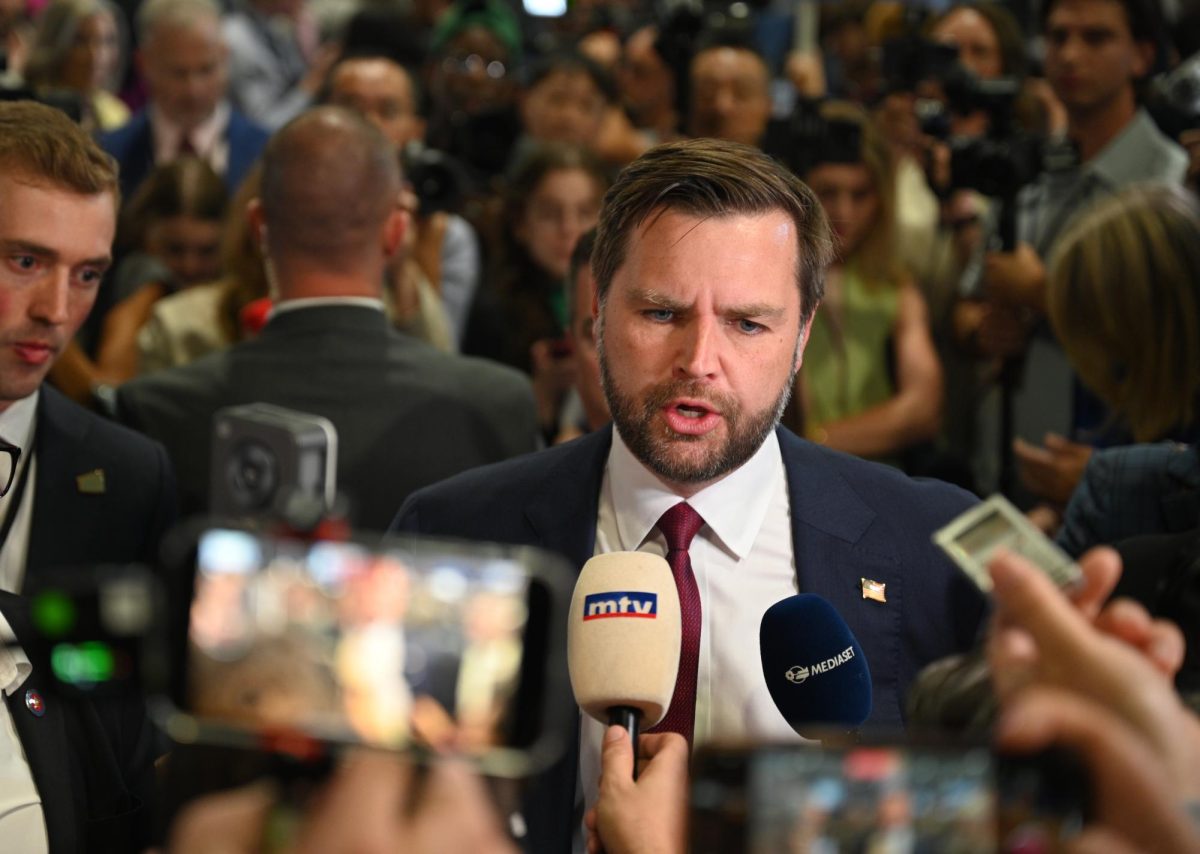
[{"x": 406, "y": 414}]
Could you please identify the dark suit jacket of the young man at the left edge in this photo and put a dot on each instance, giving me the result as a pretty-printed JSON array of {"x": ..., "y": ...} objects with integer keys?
[{"x": 92, "y": 759}]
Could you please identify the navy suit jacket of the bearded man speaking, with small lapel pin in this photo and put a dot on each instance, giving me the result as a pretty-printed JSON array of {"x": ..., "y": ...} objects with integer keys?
[{"x": 851, "y": 520}]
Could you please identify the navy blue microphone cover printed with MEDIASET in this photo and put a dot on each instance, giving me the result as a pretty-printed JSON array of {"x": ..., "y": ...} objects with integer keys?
[{"x": 815, "y": 670}]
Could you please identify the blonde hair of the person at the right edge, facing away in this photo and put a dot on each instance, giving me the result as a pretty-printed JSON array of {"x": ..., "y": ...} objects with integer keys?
[{"x": 1123, "y": 296}]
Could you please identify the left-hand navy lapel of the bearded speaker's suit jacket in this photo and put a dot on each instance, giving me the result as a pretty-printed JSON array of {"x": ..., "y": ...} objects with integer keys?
[{"x": 572, "y": 492}]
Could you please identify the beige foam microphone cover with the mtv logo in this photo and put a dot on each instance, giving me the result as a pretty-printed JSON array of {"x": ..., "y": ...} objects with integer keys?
[{"x": 616, "y": 657}]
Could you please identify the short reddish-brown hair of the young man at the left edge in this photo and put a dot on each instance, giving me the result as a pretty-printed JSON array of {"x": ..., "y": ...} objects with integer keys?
[{"x": 43, "y": 146}]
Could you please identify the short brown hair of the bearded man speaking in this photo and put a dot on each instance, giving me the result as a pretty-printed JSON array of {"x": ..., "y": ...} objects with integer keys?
[{"x": 712, "y": 178}]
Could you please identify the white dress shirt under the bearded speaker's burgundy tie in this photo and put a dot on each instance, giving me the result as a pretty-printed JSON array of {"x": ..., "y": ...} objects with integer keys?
[{"x": 743, "y": 563}]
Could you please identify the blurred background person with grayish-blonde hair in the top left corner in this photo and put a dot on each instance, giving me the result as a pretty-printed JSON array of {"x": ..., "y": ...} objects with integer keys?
[{"x": 81, "y": 47}]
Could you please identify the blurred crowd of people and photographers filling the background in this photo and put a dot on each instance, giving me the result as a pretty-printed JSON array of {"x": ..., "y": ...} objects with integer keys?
[{"x": 951, "y": 146}]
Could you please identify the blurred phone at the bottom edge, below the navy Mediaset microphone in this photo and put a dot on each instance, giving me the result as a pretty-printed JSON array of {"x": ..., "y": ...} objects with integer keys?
[{"x": 885, "y": 798}]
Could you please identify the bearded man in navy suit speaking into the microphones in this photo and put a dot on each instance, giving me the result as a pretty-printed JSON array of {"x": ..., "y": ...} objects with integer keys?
[{"x": 710, "y": 264}]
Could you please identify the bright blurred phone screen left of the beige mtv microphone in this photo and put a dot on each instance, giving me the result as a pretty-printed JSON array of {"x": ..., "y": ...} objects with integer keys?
[{"x": 405, "y": 646}]
